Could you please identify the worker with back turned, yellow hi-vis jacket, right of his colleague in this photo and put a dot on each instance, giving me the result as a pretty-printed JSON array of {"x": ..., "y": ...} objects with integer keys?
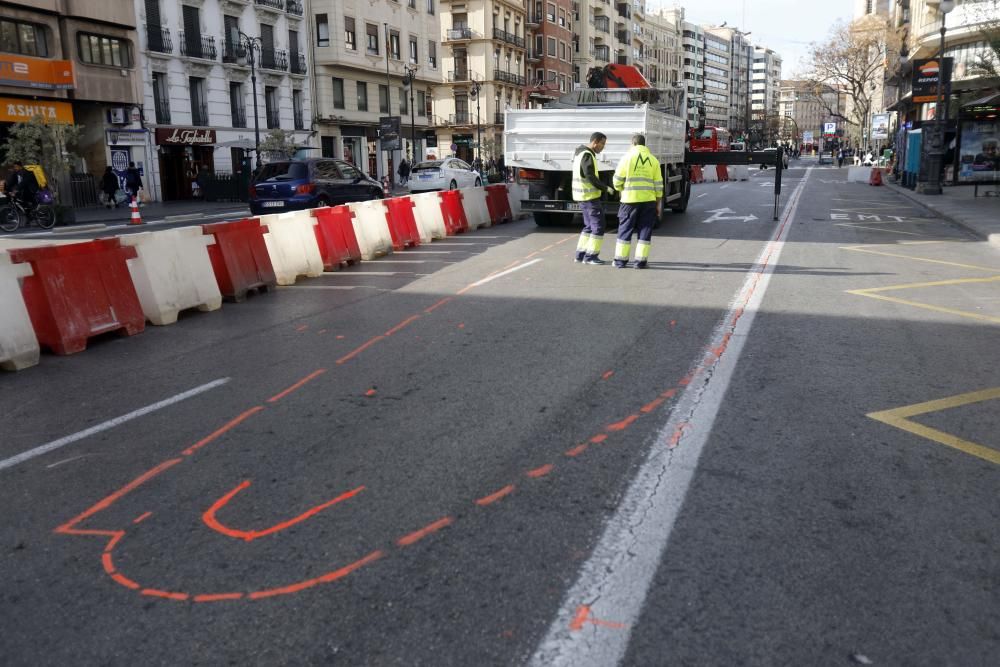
[{"x": 640, "y": 182}]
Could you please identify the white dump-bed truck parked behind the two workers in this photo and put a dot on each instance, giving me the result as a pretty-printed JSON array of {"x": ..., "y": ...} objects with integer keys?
[{"x": 539, "y": 145}]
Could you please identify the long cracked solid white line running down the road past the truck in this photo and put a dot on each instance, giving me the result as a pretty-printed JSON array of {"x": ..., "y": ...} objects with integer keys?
[{"x": 613, "y": 584}]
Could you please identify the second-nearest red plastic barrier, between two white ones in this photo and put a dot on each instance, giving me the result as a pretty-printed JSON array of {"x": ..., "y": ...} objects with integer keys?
[{"x": 239, "y": 257}]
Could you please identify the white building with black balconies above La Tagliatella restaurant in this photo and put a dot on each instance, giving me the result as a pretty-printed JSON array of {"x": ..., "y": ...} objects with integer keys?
[{"x": 199, "y": 62}]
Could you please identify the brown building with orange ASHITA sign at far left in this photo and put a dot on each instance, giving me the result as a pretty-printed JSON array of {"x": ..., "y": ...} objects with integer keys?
[{"x": 76, "y": 62}]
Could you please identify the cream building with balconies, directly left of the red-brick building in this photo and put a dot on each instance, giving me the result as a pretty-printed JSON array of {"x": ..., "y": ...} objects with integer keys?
[{"x": 484, "y": 57}]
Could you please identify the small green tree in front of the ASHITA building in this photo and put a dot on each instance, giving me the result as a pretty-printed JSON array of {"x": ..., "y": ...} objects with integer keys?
[{"x": 36, "y": 141}]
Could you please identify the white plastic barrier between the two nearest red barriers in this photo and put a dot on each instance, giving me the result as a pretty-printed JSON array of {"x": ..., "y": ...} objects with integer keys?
[{"x": 172, "y": 272}]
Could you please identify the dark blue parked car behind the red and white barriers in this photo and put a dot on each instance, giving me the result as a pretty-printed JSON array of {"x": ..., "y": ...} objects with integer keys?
[{"x": 293, "y": 185}]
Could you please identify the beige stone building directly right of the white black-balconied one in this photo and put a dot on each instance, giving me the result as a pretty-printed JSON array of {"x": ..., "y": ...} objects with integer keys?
[{"x": 371, "y": 60}]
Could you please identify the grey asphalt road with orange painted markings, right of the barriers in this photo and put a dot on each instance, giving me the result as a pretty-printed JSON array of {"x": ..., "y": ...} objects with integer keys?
[{"x": 778, "y": 445}]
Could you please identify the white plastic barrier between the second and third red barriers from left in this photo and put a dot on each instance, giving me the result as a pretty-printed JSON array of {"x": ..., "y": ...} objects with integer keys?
[{"x": 291, "y": 243}]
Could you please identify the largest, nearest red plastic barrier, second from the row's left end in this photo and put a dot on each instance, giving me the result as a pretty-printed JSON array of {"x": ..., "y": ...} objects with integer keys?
[{"x": 78, "y": 291}]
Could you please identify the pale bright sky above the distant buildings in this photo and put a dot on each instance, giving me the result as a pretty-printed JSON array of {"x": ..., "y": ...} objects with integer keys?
[{"x": 786, "y": 26}]
